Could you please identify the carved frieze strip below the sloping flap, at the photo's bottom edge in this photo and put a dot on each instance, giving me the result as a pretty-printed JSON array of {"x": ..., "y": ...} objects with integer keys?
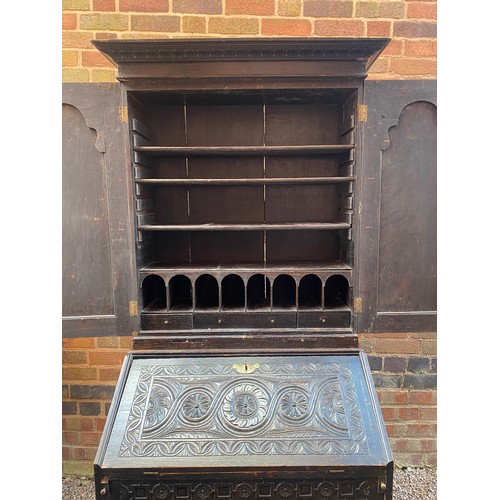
[{"x": 320, "y": 489}]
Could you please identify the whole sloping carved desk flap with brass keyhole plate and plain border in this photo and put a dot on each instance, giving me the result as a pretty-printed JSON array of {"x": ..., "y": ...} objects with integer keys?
[{"x": 231, "y": 412}]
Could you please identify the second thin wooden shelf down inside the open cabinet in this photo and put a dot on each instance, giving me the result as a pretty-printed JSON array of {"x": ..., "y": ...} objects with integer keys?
[{"x": 244, "y": 181}]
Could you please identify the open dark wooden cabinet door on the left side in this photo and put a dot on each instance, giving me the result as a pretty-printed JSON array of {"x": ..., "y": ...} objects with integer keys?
[{"x": 97, "y": 278}]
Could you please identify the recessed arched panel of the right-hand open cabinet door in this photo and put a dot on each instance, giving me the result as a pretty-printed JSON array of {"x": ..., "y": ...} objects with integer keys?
[{"x": 407, "y": 277}]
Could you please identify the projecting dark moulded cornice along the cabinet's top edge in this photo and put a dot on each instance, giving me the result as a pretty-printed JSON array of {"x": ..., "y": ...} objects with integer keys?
[{"x": 363, "y": 50}]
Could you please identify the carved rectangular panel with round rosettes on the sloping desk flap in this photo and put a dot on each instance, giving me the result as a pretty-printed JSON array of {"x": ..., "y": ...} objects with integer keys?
[{"x": 280, "y": 409}]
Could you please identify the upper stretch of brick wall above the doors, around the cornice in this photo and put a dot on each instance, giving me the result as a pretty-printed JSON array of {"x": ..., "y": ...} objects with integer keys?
[{"x": 411, "y": 25}]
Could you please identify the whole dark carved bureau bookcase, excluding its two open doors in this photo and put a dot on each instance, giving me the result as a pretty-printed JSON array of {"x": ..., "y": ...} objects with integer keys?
[{"x": 246, "y": 380}]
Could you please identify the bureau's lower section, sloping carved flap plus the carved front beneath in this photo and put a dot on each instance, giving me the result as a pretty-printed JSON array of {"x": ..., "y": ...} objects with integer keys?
[{"x": 238, "y": 427}]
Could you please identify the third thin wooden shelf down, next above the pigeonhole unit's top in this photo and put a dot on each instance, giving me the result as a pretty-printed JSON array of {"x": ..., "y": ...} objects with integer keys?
[{"x": 305, "y": 226}]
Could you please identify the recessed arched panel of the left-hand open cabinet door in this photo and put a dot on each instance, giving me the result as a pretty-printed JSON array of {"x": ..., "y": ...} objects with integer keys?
[{"x": 85, "y": 212}]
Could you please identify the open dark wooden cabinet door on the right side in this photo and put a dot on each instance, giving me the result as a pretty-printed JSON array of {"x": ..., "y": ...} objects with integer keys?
[{"x": 396, "y": 205}]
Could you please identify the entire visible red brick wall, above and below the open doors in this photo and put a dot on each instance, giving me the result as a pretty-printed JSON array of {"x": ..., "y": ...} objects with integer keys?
[{"x": 403, "y": 365}]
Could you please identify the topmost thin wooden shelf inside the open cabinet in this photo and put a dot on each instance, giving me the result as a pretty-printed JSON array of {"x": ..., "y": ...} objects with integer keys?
[{"x": 309, "y": 150}]
